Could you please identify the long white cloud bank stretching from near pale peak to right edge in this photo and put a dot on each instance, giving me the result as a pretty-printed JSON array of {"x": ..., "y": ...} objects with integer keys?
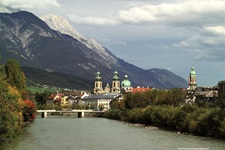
[{"x": 183, "y": 13}]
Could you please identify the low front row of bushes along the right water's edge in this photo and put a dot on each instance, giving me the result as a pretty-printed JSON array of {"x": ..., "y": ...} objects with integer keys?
[{"x": 189, "y": 119}]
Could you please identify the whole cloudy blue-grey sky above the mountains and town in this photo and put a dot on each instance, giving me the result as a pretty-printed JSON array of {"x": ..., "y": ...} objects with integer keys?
[{"x": 167, "y": 34}]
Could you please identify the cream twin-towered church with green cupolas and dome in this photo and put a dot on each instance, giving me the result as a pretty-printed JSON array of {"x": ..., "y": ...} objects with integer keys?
[{"x": 116, "y": 87}]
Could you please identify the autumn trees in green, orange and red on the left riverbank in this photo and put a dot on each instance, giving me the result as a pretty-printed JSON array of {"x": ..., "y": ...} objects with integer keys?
[{"x": 16, "y": 110}]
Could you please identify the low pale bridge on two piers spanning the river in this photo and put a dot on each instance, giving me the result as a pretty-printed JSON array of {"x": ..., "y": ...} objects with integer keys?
[{"x": 80, "y": 113}]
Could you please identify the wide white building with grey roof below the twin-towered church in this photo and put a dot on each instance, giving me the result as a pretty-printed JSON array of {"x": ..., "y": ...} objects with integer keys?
[{"x": 100, "y": 102}]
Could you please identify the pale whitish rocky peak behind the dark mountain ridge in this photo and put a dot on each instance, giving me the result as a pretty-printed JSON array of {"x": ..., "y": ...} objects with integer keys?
[{"x": 60, "y": 24}]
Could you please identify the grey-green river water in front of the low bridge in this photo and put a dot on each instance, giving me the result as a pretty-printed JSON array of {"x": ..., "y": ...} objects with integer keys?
[{"x": 60, "y": 133}]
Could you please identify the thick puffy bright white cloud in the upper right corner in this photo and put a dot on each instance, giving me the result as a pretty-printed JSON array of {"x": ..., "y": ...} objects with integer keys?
[{"x": 185, "y": 12}]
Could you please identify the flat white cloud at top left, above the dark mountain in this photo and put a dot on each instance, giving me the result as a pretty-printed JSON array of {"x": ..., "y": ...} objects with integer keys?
[{"x": 29, "y": 4}]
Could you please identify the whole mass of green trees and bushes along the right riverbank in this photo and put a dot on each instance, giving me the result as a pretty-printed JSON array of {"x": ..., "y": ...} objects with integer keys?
[{"x": 167, "y": 109}]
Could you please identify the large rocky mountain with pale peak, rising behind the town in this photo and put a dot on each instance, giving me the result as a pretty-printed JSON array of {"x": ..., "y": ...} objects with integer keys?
[{"x": 58, "y": 47}]
